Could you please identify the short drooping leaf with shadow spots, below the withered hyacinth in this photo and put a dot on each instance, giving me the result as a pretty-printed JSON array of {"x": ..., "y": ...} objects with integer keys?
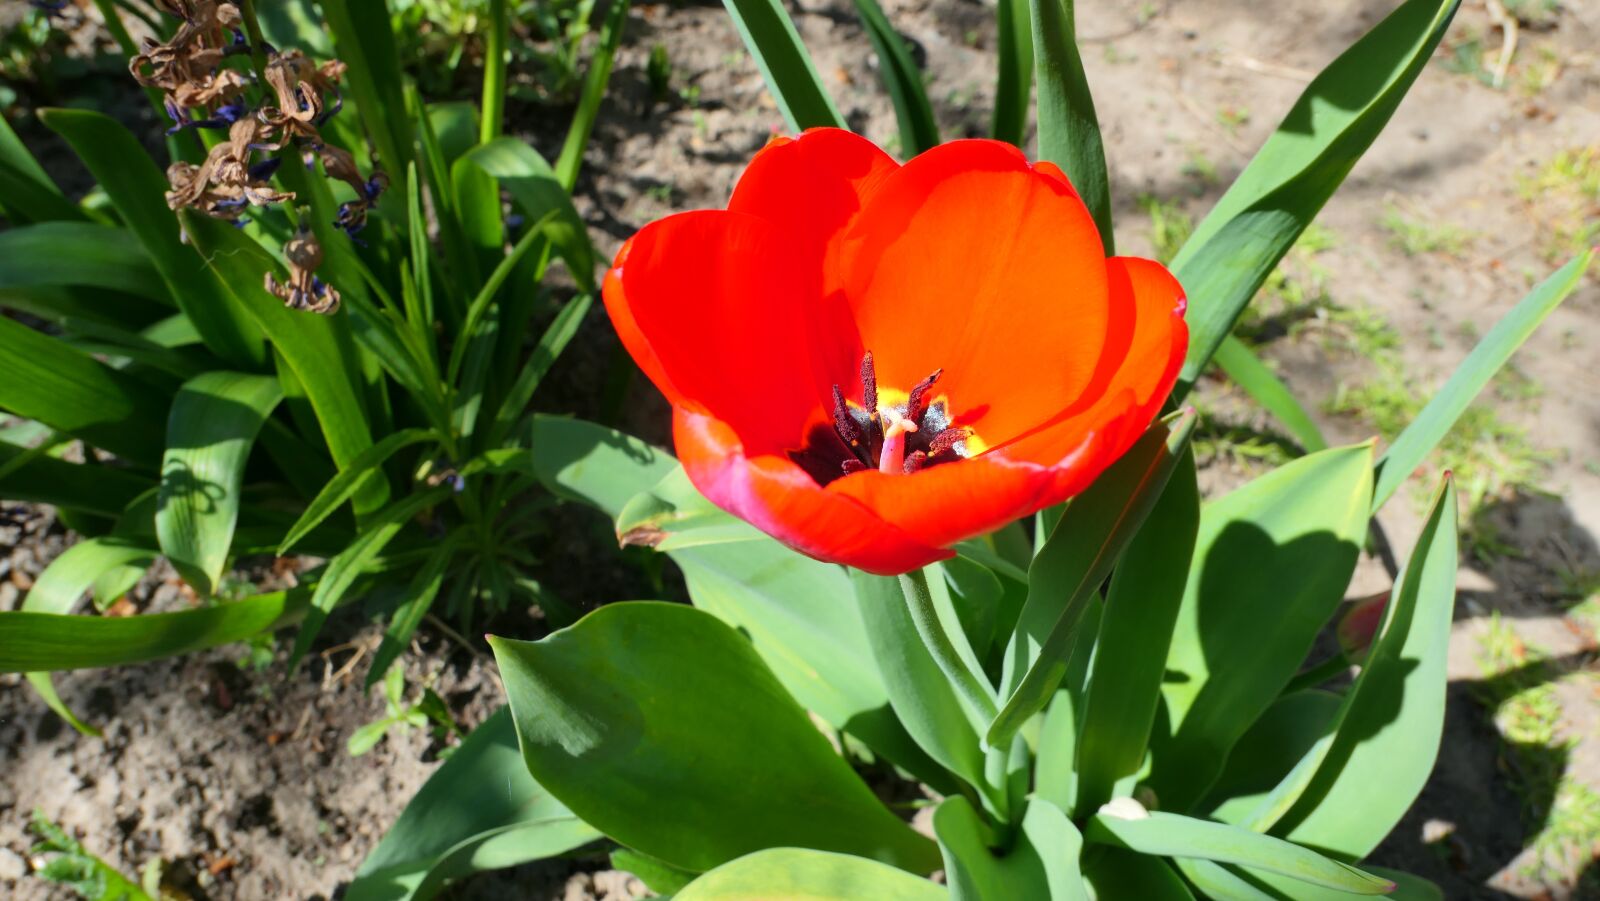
[{"x": 210, "y": 431}]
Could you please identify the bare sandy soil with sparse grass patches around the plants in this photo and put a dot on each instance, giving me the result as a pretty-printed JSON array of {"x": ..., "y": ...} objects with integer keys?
[{"x": 1442, "y": 228}]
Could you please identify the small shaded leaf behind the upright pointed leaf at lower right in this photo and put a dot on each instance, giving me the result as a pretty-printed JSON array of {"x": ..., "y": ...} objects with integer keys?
[{"x": 1292, "y": 727}]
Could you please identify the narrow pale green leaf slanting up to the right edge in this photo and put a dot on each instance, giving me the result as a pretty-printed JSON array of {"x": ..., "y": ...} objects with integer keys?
[{"x": 1434, "y": 422}]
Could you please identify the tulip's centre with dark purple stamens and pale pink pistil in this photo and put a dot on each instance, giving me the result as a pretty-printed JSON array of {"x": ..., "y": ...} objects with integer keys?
[{"x": 895, "y": 433}]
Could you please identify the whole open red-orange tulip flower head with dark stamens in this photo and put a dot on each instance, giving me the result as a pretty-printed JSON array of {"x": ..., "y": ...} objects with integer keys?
[{"x": 873, "y": 362}]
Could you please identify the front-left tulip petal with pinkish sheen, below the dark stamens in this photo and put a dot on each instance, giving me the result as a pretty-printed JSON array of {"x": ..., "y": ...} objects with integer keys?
[{"x": 782, "y": 500}]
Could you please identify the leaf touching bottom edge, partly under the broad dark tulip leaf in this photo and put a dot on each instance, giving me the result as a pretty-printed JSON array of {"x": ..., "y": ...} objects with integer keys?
[{"x": 452, "y": 828}]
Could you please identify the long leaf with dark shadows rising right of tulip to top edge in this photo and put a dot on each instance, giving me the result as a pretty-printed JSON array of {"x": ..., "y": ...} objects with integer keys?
[{"x": 1265, "y": 212}]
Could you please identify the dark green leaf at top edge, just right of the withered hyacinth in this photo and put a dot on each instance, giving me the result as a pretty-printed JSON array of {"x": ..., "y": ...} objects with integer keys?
[{"x": 364, "y": 39}]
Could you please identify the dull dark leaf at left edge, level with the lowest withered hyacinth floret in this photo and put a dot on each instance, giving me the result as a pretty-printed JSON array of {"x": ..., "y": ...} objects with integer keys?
[{"x": 79, "y": 254}]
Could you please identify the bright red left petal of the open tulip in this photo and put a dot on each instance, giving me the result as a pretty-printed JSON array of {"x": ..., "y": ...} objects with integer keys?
[{"x": 713, "y": 306}]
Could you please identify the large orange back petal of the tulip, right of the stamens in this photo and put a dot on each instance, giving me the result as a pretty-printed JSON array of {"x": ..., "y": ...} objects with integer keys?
[{"x": 972, "y": 262}]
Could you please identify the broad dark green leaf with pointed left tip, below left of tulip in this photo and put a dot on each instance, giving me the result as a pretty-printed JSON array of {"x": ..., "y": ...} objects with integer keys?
[{"x": 705, "y": 756}]
